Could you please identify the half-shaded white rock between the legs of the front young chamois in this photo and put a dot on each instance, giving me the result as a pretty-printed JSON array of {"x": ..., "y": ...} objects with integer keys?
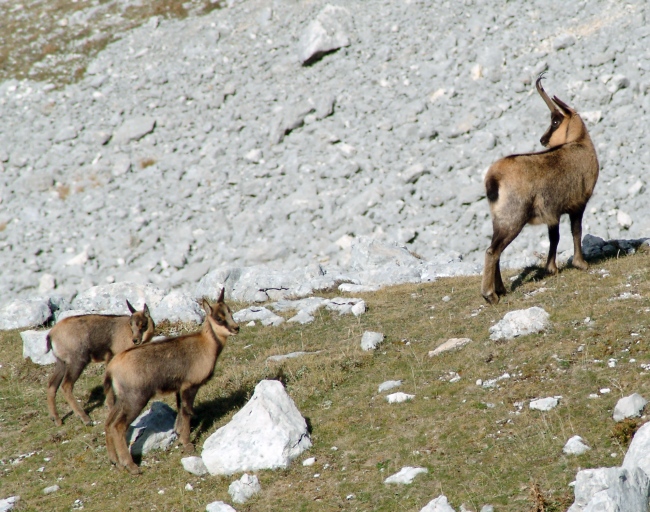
[{"x": 152, "y": 430}]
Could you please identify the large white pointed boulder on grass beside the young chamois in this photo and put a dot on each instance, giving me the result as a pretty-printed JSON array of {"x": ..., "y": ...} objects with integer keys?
[{"x": 267, "y": 433}]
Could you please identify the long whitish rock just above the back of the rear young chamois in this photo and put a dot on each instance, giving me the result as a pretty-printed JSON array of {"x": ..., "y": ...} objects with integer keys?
[{"x": 111, "y": 298}]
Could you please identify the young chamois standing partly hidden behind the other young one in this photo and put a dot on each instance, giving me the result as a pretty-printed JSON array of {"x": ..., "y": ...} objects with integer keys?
[{"x": 78, "y": 340}]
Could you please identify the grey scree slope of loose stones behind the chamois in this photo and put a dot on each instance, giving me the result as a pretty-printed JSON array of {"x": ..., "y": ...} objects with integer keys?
[{"x": 200, "y": 143}]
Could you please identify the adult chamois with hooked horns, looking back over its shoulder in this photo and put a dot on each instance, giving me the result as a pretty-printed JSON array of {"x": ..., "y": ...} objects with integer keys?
[{"x": 538, "y": 188}]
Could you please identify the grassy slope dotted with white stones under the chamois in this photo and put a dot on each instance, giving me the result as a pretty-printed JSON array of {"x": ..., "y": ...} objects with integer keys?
[{"x": 476, "y": 448}]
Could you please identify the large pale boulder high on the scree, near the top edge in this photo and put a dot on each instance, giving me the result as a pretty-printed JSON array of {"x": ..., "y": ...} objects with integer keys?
[{"x": 328, "y": 32}]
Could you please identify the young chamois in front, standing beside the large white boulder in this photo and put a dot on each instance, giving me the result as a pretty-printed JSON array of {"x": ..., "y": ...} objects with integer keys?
[{"x": 179, "y": 365}]
